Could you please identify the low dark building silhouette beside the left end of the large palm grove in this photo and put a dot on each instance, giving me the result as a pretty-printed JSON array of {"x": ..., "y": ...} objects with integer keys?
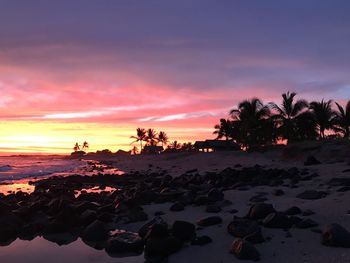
[{"x": 216, "y": 145}]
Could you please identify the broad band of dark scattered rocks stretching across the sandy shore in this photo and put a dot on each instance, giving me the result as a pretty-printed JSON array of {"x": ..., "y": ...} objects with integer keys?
[{"x": 62, "y": 209}]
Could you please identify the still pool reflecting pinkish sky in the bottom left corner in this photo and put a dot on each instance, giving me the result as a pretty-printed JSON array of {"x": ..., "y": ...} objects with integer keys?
[{"x": 40, "y": 250}]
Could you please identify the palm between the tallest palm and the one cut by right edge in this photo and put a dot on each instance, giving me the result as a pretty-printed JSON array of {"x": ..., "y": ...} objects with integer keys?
[{"x": 324, "y": 116}]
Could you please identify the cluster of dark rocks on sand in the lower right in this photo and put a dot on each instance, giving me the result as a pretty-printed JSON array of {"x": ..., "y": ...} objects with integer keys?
[{"x": 248, "y": 230}]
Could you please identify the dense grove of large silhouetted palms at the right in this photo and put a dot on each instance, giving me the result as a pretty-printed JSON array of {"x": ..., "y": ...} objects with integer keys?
[{"x": 254, "y": 124}]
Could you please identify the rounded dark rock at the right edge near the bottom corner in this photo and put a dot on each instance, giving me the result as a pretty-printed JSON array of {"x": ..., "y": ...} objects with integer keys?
[{"x": 334, "y": 235}]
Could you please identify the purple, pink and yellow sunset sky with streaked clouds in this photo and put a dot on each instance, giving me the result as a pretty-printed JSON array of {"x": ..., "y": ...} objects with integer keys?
[{"x": 75, "y": 70}]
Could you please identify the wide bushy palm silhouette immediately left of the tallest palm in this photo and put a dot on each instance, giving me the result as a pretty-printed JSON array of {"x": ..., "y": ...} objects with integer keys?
[{"x": 250, "y": 114}]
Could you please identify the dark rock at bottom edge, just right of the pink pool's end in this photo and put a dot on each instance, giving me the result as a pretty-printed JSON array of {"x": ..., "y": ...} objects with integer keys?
[{"x": 160, "y": 248}]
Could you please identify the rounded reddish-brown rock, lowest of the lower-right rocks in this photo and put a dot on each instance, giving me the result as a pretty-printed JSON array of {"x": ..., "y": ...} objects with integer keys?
[{"x": 243, "y": 249}]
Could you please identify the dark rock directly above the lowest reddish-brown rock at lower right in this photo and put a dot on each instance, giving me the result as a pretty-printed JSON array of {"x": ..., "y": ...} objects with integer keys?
[{"x": 246, "y": 229}]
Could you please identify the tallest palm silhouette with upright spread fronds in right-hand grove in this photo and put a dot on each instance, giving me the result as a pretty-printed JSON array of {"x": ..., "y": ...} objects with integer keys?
[{"x": 287, "y": 114}]
